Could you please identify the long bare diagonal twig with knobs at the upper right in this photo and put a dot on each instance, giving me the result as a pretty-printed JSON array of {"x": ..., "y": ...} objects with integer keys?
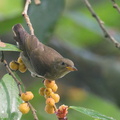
[{"x": 100, "y": 22}]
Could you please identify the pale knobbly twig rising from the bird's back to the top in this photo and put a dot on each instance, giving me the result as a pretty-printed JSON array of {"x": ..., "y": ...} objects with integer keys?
[{"x": 24, "y": 13}]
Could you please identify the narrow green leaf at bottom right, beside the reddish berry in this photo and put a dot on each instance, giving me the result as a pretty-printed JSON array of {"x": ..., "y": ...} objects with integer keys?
[{"x": 91, "y": 113}]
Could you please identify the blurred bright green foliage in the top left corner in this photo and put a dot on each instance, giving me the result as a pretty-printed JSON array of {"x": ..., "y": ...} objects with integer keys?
[{"x": 10, "y": 14}]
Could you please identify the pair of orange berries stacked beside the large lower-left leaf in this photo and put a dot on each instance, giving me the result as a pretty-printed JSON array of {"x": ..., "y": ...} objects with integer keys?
[{"x": 24, "y": 107}]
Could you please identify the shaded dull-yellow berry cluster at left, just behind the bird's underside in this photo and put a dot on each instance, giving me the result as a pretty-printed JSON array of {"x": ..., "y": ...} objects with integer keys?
[{"x": 18, "y": 65}]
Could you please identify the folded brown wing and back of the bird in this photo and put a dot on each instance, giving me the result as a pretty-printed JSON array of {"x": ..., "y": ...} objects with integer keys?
[{"x": 41, "y": 56}]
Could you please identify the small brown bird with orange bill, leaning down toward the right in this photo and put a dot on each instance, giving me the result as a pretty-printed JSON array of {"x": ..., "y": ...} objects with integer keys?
[{"x": 41, "y": 60}]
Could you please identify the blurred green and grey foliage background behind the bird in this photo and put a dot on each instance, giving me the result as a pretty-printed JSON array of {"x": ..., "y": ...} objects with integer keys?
[{"x": 68, "y": 27}]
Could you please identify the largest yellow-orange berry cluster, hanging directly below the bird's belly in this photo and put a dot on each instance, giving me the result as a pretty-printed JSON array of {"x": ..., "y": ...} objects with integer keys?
[{"x": 51, "y": 97}]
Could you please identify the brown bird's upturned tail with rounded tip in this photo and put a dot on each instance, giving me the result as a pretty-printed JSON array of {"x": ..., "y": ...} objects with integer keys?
[{"x": 20, "y": 35}]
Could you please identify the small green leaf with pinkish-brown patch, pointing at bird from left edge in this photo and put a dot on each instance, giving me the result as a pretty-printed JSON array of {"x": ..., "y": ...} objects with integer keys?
[{"x": 8, "y": 47}]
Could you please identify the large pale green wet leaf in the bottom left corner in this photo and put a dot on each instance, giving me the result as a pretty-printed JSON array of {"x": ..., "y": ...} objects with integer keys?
[{"x": 9, "y": 99}]
